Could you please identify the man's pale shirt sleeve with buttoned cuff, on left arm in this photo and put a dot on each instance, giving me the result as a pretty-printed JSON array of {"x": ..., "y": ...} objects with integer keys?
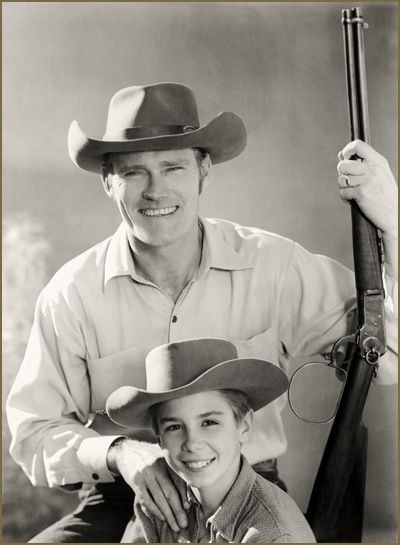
[{"x": 49, "y": 403}]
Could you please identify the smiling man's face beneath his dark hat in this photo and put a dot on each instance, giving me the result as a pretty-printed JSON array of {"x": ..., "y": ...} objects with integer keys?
[{"x": 157, "y": 194}]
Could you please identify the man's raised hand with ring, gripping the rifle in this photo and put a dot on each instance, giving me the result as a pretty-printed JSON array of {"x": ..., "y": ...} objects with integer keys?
[{"x": 370, "y": 182}]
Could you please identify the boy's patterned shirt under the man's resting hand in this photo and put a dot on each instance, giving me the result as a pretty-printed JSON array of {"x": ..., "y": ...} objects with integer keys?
[{"x": 254, "y": 511}]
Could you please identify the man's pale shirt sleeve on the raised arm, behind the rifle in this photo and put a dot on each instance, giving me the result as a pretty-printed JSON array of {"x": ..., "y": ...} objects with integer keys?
[{"x": 318, "y": 304}]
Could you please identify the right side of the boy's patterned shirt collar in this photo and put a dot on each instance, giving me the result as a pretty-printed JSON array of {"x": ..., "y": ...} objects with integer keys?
[{"x": 225, "y": 519}]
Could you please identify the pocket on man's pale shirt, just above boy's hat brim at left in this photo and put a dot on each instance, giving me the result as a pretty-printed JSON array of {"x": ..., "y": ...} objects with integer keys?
[{"x": 125, "y": 368}]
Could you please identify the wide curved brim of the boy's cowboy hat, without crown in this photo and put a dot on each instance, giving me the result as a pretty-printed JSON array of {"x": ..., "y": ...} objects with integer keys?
[{"x": 260, "y": 380}]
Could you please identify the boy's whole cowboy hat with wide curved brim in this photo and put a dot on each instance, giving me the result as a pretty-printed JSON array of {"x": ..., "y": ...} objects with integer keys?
[{"x": 187, "y": 367}]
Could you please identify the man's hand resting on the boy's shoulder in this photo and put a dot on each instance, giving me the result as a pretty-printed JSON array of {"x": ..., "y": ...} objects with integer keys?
[{"x": 143, "y": 467}]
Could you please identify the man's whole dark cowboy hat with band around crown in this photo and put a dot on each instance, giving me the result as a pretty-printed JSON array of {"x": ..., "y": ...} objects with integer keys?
[{"x": 156, "y": 117}]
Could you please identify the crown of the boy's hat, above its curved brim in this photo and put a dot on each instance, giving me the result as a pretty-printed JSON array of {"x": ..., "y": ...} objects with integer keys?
[{"x": 174, "y": 365}]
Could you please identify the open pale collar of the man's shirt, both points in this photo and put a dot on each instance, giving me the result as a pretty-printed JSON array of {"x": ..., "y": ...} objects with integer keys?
[{"x": 217, "y": 254}]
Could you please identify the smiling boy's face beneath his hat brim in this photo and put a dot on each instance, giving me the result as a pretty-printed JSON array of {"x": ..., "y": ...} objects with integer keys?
[{"x": 201, "y": 439}]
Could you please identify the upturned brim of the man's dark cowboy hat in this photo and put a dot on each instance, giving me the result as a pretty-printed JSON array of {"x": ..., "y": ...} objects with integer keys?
[{"x": 223, "y": 138}]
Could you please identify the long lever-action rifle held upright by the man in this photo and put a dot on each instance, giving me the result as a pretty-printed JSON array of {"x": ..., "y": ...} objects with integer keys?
[{"x": 335, "y": 510}]
